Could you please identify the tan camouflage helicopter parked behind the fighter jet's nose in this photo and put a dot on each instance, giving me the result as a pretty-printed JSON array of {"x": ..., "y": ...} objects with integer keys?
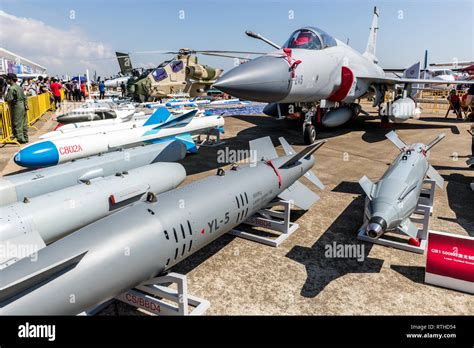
[{"x": 182, "y": 75}]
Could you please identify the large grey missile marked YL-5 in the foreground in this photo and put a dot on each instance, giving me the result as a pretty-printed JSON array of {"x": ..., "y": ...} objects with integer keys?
[{"x": 119, "y": 252}]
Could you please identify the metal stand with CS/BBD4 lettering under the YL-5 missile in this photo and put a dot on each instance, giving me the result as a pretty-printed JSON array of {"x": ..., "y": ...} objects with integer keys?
[{"x": 155, "y": 297}]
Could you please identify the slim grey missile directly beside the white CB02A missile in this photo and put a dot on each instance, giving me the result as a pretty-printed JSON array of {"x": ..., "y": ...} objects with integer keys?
[{"x": 16, "y": 187}]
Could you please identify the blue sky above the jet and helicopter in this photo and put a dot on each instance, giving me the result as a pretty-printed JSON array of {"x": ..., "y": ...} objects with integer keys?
[{"x": 100, "y": 27}]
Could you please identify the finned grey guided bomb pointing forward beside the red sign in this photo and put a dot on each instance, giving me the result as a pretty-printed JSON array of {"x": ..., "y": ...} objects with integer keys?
[{"x": 395, "y": 196}]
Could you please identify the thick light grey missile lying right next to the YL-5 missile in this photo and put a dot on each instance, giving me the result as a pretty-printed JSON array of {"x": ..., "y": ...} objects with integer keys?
[{"x": 44, "y": 219}]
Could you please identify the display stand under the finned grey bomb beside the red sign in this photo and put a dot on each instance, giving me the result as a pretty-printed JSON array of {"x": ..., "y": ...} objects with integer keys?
[{"x": 420, "y": 216}]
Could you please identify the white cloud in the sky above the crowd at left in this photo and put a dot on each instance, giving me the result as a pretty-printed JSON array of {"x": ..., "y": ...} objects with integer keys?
[{"x": 60, "y": 51}]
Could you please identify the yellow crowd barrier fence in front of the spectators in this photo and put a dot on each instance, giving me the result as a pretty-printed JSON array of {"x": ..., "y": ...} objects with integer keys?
[{"x": 37, "y": 107}]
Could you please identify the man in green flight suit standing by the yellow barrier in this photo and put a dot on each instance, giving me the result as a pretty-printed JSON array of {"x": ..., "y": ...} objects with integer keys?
[{"x": 18, "y": 107}]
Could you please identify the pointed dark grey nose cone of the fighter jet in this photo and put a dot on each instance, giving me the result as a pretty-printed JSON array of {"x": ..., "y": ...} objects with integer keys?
[{"x": 264, "y": 79}]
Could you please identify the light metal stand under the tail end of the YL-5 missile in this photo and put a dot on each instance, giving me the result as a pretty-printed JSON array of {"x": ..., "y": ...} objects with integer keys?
[{"x": 275, "y": 222}]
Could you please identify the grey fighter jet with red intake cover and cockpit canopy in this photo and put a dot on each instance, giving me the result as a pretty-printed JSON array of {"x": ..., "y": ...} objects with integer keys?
[{"x": 318, "y": 79}]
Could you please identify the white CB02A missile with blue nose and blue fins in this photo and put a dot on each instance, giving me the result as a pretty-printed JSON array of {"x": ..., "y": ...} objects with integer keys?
[{"x": 58, "y": 150}]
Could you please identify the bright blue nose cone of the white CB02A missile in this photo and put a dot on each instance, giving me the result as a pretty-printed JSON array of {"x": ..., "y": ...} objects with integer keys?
[{"x": 42, "y": 154}]
